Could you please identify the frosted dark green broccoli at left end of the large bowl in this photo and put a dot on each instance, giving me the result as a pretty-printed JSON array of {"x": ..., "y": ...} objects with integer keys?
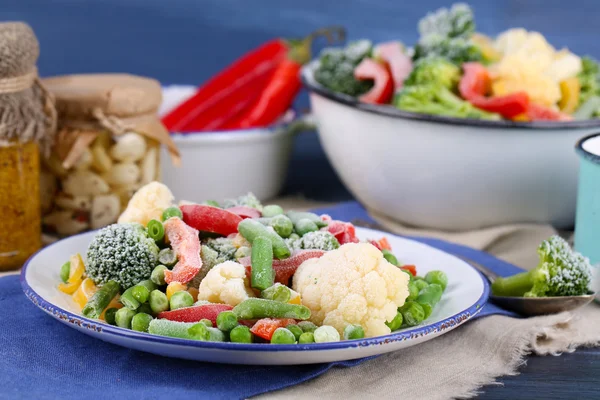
[{"x": 336, "y": 68}]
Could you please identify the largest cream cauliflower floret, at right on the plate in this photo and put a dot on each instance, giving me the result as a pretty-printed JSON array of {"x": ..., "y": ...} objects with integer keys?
[{"x": 352, "y": 285}]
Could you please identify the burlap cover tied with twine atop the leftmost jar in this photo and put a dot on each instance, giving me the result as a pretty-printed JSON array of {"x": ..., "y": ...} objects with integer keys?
[{"x": 27, "y": 110}]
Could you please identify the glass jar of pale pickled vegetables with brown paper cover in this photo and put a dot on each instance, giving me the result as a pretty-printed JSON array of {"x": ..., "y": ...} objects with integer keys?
[{"x": 106, "y": 147}]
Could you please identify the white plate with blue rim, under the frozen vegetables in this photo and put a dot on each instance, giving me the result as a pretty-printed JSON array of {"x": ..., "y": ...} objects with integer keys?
[{"x": 466, "y": 294}]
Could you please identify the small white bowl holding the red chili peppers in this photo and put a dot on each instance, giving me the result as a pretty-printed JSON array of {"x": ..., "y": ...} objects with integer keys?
[{"x": 225, "y": 164}]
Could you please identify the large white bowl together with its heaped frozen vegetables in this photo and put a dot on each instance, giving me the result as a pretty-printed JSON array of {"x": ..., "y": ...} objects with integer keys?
[{"x": 442, "y": 136}]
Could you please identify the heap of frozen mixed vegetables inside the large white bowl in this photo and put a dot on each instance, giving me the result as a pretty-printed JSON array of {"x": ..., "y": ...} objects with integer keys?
[{"x": 455, "y": 71}]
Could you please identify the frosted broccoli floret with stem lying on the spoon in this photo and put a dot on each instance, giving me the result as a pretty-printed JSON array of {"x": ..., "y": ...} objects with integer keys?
[{"x": 560, "y": 272}]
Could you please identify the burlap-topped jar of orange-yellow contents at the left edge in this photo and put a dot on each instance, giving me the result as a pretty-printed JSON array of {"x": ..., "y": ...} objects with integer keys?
[{"x": 27, "y": 123}]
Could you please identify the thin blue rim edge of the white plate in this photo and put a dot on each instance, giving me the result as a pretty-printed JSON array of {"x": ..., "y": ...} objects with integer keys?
[{"x": 88, "y": 323}]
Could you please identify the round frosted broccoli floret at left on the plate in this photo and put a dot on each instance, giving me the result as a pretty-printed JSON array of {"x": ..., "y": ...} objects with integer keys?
[{"x": 121, "y": 252}]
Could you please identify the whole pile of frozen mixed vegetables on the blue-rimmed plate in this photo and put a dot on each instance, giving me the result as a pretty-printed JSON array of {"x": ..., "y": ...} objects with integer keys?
[{"x": 244, "y": 272}]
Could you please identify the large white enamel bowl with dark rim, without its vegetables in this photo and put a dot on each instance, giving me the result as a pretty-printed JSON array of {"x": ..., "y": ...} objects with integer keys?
[{"x": 449, "y": 173}]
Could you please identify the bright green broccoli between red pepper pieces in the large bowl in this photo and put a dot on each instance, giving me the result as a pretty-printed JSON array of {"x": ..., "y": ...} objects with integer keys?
[{"x": 438, "y": 100}]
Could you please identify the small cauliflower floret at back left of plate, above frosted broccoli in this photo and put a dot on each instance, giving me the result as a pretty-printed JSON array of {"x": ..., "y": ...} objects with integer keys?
[{"x": 147, "y": 203}]
